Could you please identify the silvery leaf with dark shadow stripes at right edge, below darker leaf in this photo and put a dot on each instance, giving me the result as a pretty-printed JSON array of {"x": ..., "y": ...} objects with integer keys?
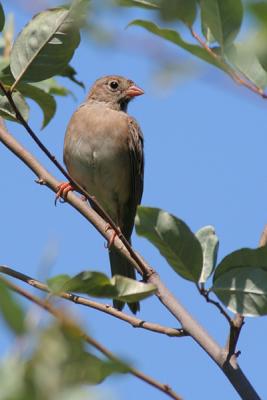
[{"x": 243, "y": 290}]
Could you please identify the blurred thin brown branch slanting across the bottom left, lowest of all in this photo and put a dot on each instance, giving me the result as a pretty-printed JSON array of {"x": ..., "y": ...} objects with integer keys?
[{"x": 67, "y": 322}]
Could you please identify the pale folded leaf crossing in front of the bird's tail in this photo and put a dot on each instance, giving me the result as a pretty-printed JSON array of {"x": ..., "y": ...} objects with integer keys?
[{"x": 130, "y": 290}]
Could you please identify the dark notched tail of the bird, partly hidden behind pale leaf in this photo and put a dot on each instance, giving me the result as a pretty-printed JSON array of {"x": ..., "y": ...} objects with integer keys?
[{"x": 120, "y": 266}]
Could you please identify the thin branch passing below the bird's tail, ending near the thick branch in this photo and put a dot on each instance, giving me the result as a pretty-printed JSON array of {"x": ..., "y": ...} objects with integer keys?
[{"x": 106, "y": 308}]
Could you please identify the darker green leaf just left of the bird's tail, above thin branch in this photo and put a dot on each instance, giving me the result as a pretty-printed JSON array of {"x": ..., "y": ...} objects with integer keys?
[{"x": 92, "y": 283}]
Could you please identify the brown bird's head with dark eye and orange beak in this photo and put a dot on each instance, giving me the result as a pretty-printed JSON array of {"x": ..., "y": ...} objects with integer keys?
[{"x": 114, "y": 90}]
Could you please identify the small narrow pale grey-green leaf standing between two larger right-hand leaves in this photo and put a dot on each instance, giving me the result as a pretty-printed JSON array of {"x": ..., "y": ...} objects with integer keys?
[{"x": 210, "y": 244}]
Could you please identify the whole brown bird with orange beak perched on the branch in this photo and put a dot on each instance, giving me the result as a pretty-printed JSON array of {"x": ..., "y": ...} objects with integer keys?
[{"x": 104, "y": 153}]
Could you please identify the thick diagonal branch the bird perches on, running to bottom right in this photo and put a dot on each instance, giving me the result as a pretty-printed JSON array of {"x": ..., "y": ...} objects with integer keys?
[{"x": 229, "y": 367}]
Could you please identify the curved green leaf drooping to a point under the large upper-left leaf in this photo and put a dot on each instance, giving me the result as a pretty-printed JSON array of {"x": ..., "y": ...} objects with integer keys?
[{"x": 46, "y": 102}]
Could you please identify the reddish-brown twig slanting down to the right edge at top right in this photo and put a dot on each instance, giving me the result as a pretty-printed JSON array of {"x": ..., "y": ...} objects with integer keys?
[{"x": 238, "y": 78}]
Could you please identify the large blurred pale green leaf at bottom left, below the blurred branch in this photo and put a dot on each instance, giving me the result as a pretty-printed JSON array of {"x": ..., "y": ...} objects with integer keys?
[{"x": 61, "y": 360}]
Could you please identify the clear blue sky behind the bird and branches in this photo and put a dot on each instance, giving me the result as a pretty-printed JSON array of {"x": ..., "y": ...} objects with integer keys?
[{"x": 205, "y": 152}]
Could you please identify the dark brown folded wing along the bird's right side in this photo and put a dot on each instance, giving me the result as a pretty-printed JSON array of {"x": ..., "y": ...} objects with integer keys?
[{"x": 136, "y": 153}]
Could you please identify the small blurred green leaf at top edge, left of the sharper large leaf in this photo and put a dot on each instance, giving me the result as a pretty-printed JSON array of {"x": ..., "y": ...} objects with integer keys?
[{"x": 184, "y": 10}]
